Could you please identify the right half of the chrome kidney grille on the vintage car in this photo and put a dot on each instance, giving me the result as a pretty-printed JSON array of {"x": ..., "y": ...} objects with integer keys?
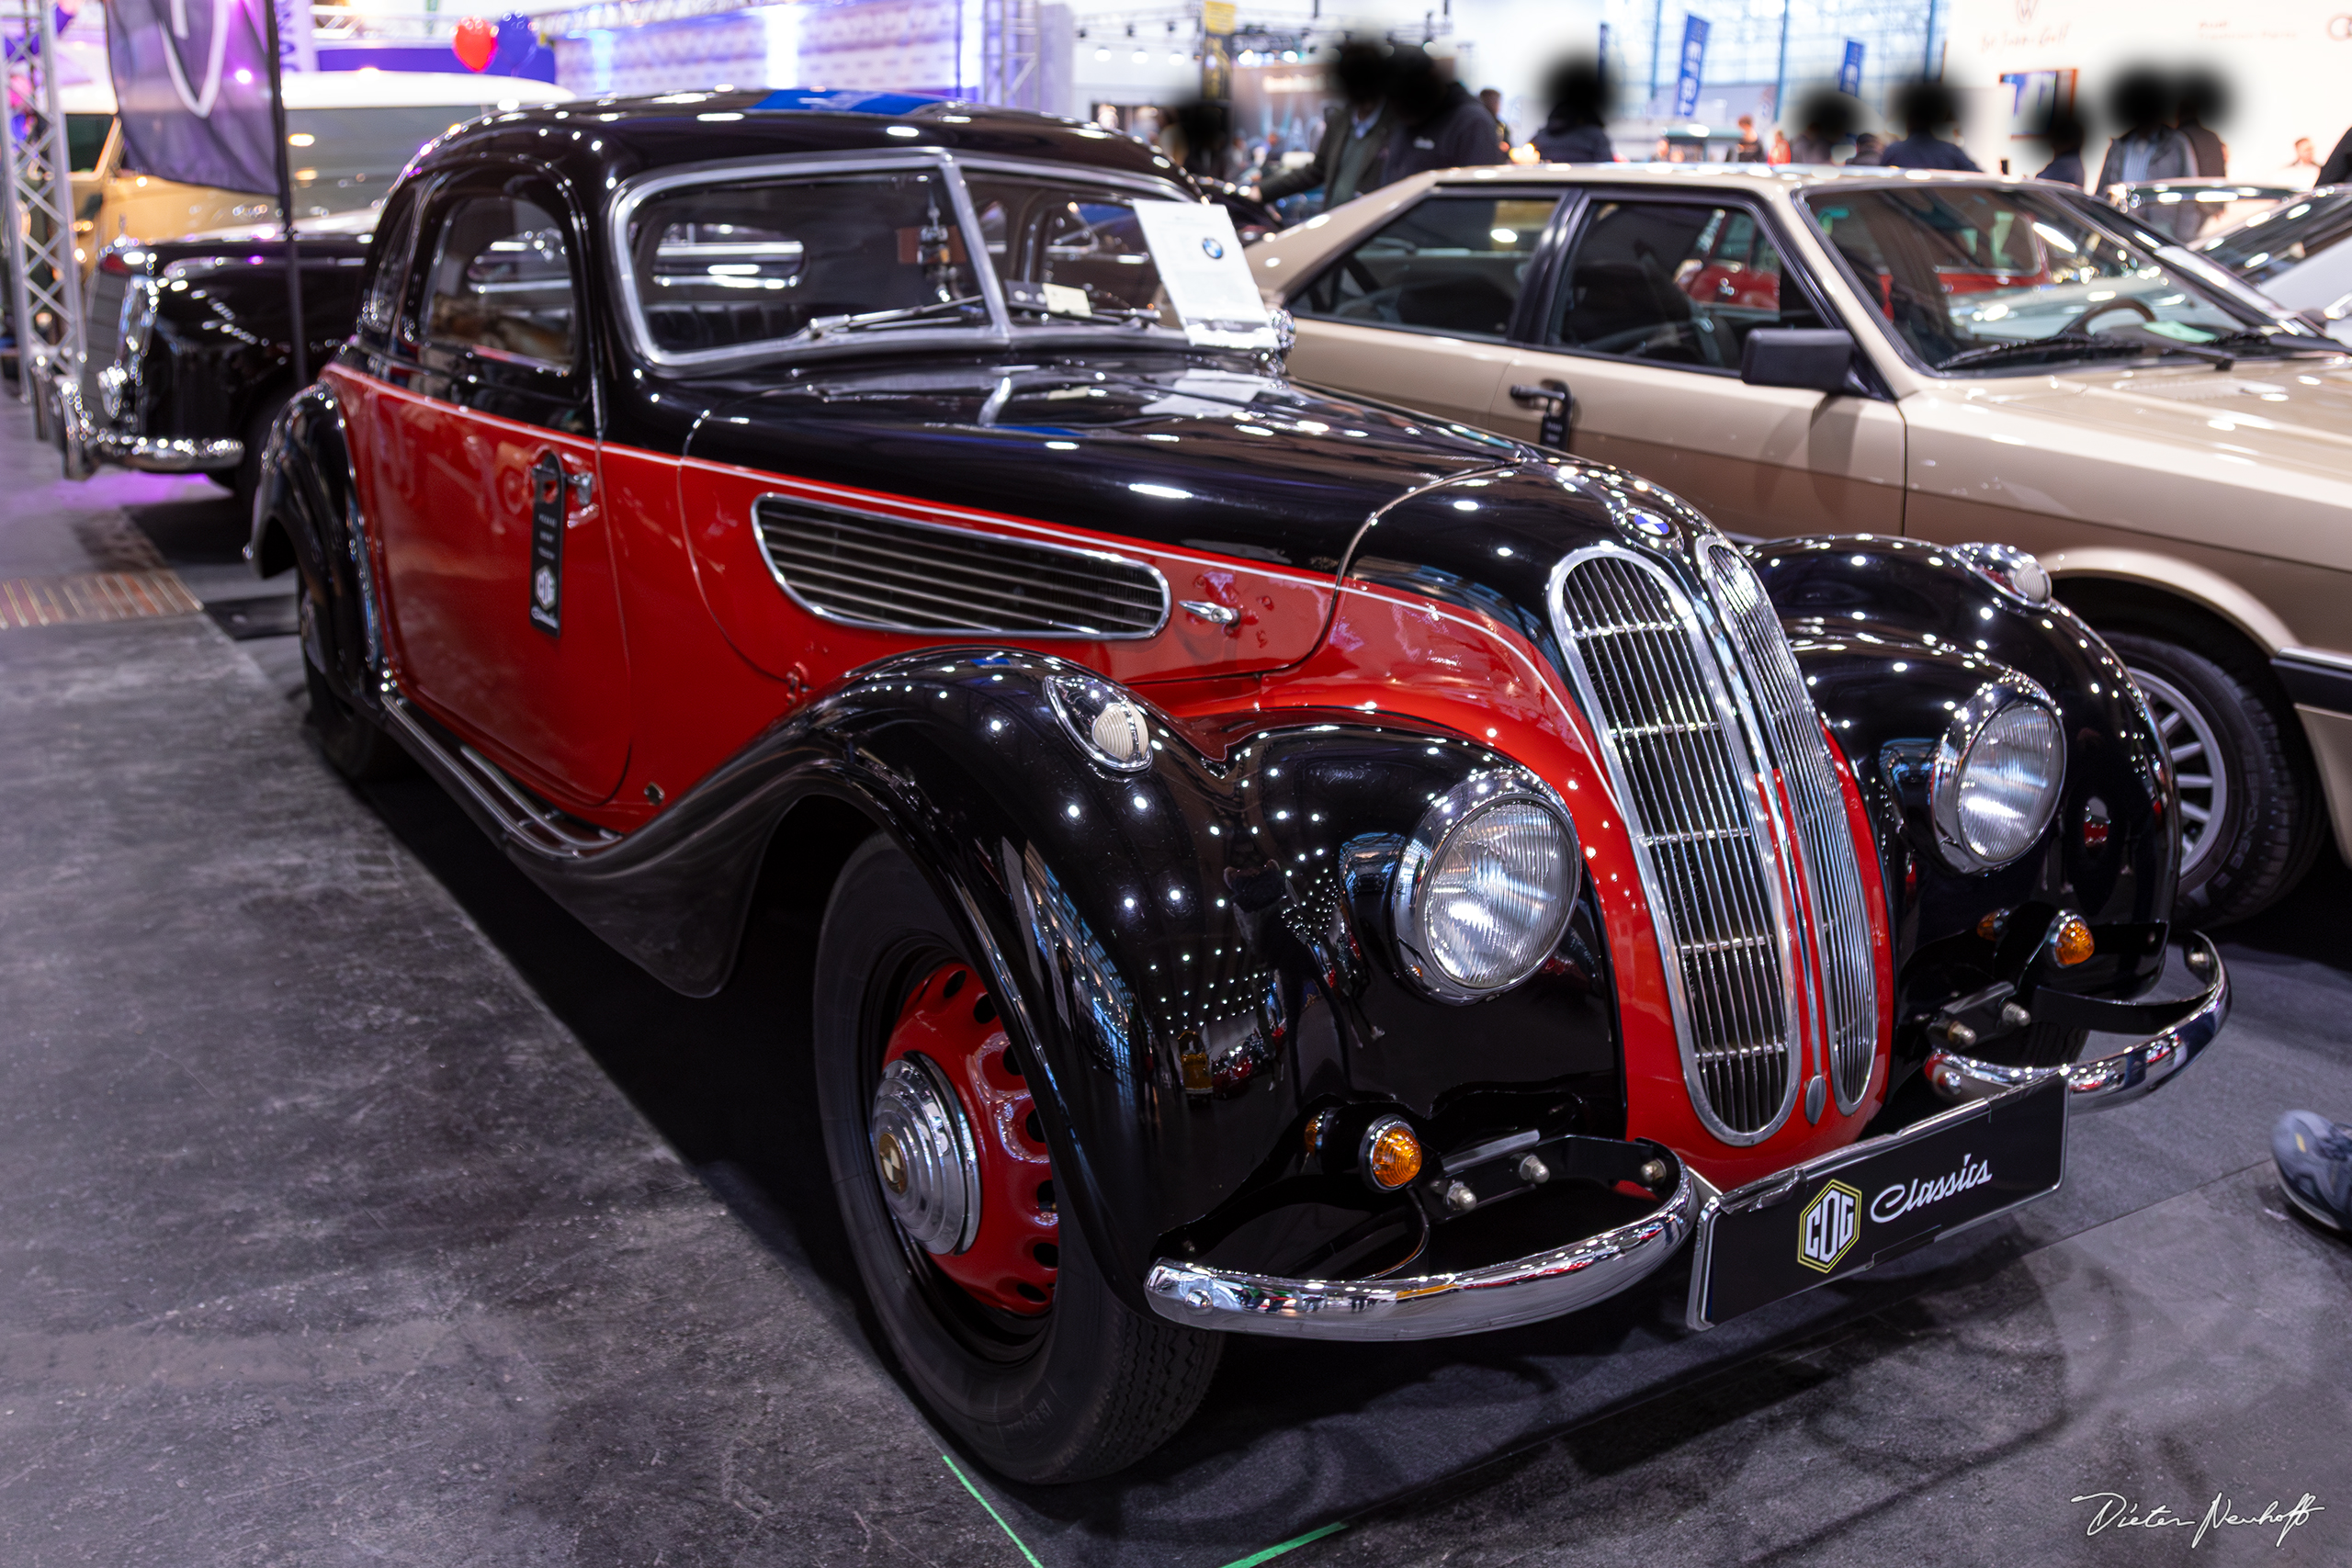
[{"x": 1838, "y": 956}]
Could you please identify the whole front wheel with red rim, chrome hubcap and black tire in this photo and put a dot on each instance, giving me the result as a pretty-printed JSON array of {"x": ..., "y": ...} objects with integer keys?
[{"x": 998, "y": 1313}]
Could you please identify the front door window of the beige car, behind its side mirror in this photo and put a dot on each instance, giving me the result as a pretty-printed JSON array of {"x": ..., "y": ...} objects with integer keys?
[{"x": 1673, "y": 283}]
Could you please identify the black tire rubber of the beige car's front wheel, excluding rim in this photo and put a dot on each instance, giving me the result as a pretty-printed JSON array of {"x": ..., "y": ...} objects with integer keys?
[{"x": 2271, "y": 822}]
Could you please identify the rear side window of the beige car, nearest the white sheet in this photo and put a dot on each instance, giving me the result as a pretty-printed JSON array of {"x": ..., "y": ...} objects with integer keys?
[{"x": 1452, "y": 264}]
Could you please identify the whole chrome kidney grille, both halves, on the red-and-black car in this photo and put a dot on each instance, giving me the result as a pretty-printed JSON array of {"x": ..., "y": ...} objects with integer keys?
[{"x": 1739, "y": 829}]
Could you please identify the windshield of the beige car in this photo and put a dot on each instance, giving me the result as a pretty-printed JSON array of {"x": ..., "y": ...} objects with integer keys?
[{"x": 2012, "y": 279}]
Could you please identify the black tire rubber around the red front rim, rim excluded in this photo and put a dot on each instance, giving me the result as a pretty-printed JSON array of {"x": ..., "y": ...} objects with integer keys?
[{"x": 1081, "y": 1393}]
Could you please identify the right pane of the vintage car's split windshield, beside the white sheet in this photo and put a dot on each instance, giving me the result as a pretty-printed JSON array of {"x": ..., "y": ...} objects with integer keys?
[{"x": 1069, "y": 255}]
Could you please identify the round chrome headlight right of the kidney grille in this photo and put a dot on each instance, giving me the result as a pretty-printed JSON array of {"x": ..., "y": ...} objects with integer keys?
[{"x": 1998, "y": 775}]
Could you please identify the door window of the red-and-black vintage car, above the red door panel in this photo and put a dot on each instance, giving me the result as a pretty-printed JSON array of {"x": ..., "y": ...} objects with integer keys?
[{"x": 497, "y": 286}]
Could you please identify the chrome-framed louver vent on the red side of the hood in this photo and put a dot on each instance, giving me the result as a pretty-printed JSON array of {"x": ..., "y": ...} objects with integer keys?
[{"x": 921, "y": 577}]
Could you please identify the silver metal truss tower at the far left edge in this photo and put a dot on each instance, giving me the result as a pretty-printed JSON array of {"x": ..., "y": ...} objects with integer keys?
[{"x": 36, "y": 185}]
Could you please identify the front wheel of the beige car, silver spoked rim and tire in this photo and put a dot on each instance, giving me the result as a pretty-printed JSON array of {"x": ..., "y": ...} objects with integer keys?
[{"x": 2250, "y": 810}]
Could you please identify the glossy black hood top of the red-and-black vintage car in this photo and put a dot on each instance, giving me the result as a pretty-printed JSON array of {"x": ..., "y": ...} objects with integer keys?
[{"x": 1191, "y": 453}]
